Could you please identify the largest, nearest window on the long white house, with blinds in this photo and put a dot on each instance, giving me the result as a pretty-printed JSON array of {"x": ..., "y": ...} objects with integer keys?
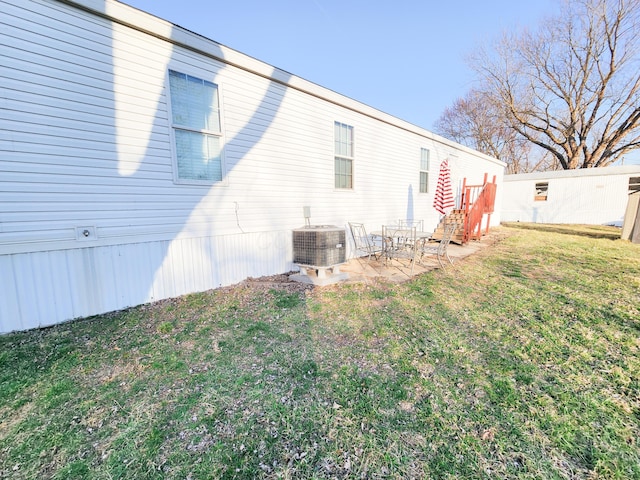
[{"x": 195, "y": 120}]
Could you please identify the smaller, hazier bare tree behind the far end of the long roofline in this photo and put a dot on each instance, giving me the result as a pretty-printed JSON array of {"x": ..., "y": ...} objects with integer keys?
[{"x": 478, "y": 123}]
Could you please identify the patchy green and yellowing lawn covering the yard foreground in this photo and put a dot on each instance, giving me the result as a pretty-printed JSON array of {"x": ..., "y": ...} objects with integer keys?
[{"x": 521, "y": 362}]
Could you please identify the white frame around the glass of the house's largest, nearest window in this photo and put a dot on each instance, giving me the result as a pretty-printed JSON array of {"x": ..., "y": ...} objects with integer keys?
[{"x": 173, "y": 128}]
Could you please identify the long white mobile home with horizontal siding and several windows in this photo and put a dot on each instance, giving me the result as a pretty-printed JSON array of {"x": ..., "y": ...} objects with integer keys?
[{"x": 141, "y": 161}]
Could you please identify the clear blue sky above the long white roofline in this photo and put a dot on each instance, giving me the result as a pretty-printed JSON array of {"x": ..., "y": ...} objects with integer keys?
[{"x": 404, "y": 57}]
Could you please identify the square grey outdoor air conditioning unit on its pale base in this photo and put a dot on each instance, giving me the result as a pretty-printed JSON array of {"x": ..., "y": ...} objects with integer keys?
[{"x": 319, "y": 247}]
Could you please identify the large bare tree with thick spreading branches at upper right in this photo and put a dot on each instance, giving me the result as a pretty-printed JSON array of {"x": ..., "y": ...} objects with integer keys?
[{"x": 572, "y": 87}]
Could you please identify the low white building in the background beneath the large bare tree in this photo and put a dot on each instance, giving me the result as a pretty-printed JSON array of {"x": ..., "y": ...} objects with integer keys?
[{"x": 595, "y": 196}]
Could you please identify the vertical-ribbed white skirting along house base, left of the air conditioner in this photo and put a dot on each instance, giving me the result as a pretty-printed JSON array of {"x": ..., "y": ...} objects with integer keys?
[{"x": 82, "y": 282}]
